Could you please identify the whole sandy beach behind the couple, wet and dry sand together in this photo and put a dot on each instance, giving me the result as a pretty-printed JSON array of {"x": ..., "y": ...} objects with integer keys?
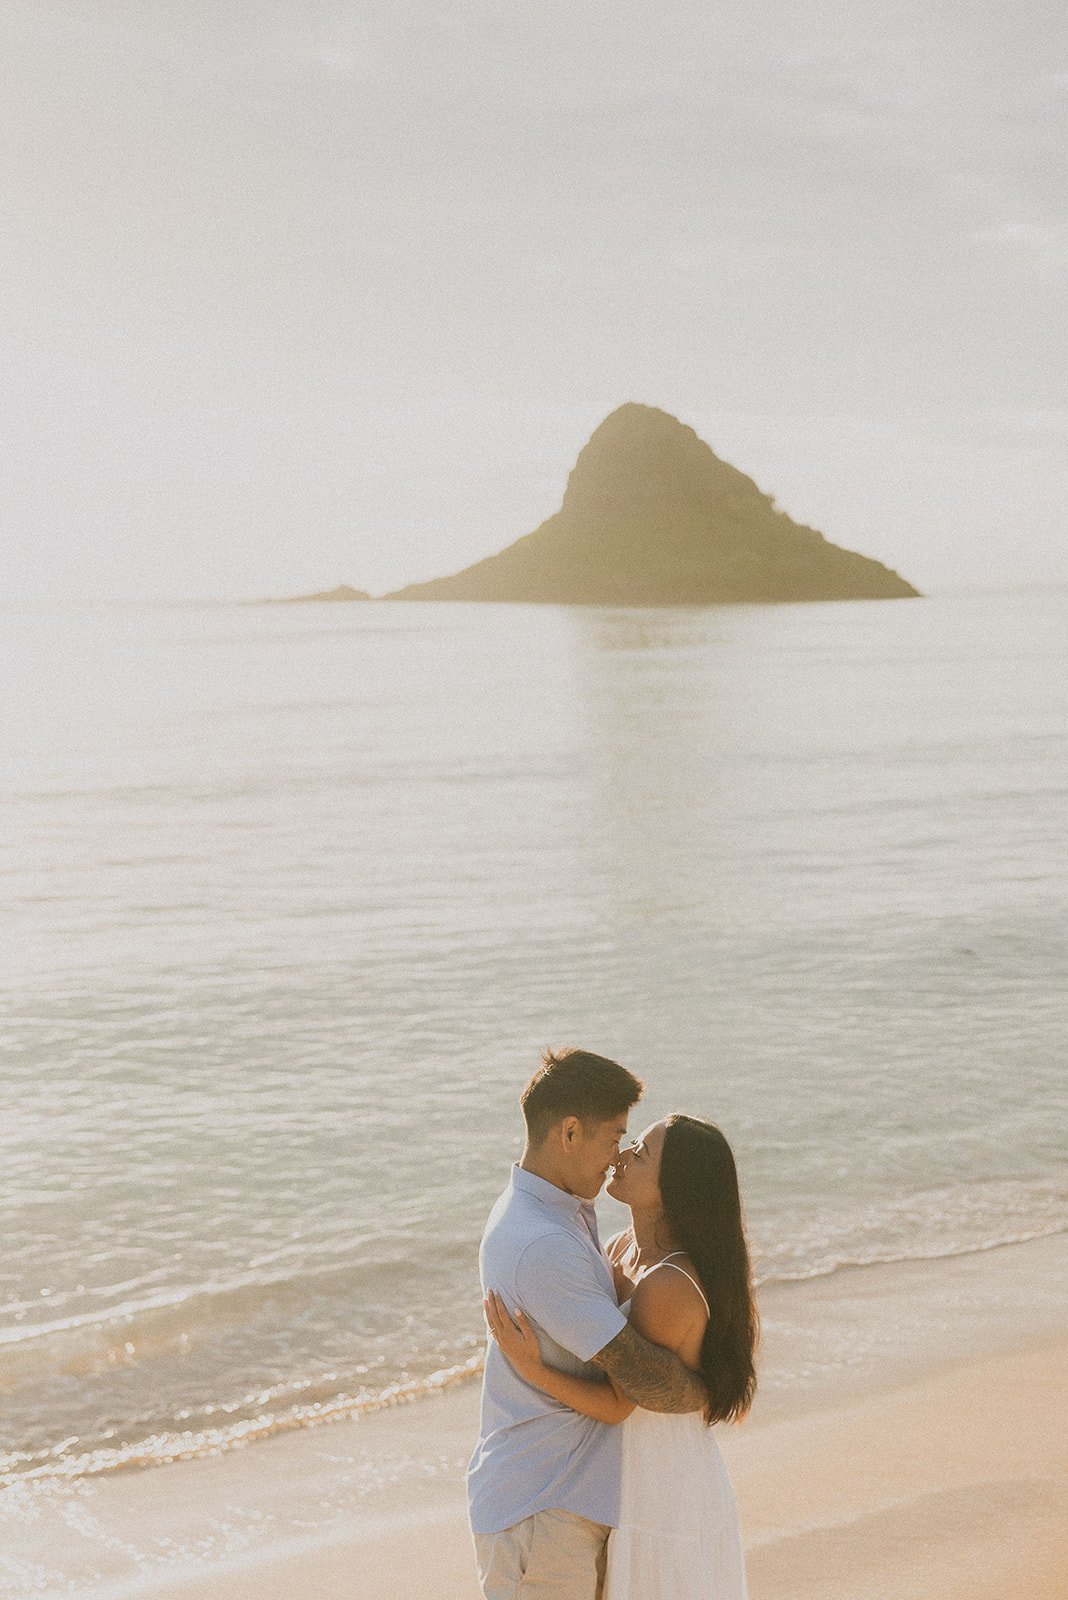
[{"x": 928, "y": 1465}]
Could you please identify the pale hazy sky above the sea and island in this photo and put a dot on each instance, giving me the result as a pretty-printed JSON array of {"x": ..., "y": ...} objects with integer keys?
[{"x": 298, "y": 292}]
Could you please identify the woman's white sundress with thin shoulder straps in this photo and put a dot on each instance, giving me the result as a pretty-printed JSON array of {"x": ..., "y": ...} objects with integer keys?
[{"x": 679, "y": 1535}]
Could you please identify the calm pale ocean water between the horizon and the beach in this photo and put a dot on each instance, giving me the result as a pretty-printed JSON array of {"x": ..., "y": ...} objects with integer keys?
[{"x": 292, "y": 900}]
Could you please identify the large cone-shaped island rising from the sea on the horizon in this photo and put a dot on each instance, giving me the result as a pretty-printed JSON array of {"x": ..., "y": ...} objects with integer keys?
[{"x": 652, "y": 516}]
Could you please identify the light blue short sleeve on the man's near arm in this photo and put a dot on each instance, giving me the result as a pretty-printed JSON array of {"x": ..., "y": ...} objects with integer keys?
[{"x": 559, "y": 1287}]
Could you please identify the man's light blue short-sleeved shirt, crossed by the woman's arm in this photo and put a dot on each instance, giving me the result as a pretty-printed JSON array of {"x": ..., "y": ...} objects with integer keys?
[{"x": 543, "y": 1255}]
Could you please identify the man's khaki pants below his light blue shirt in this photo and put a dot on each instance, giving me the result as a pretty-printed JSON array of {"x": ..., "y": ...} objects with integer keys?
[{"x": 551, "y": 1556}]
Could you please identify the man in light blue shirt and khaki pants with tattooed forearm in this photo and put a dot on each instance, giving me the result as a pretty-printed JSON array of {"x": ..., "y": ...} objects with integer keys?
[{"x": 544, "y": 1481}]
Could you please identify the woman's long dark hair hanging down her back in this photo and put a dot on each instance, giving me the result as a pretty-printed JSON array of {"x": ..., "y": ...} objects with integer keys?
[{"x": 699, "y": 1188}]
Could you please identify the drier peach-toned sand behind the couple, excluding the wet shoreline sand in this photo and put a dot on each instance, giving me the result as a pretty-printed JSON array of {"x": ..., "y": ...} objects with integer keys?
[{"x": 950, "y": 1487}]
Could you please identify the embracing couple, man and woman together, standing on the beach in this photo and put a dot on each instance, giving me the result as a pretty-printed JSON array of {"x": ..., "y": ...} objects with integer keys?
[{"x": 655, "y": 1330}]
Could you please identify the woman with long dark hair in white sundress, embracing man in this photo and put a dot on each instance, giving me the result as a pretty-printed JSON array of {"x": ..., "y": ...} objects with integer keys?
[{"x": 683, "y": 1278}]
